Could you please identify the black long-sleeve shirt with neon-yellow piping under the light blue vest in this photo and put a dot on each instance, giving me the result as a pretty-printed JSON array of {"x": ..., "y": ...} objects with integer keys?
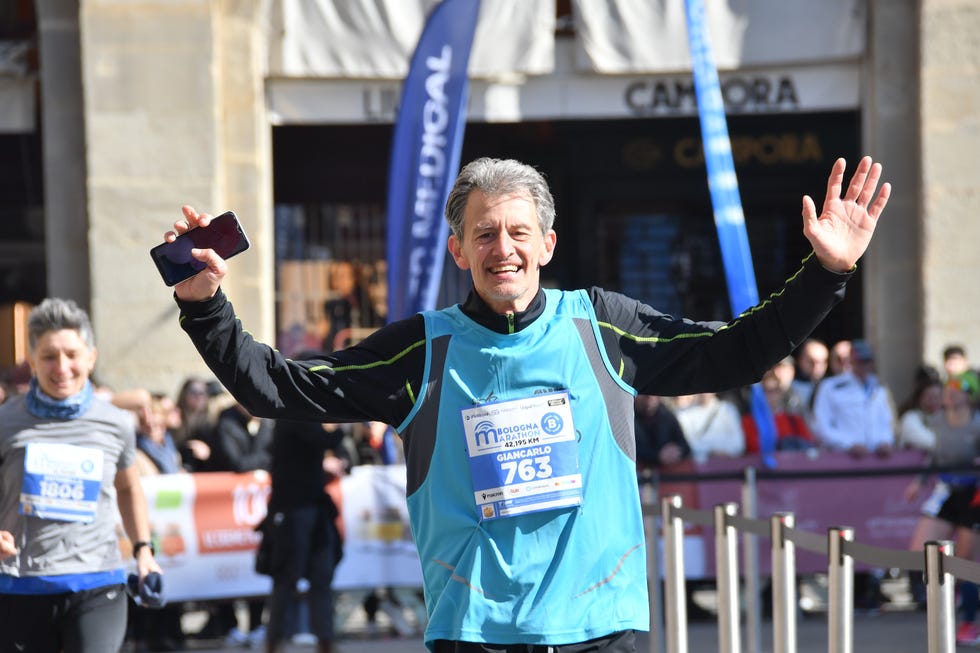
[{"x": 381, "y": 378}]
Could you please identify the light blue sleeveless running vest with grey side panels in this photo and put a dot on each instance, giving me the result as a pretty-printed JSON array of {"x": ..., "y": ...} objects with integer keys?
[{"x": 554, "y": 577}]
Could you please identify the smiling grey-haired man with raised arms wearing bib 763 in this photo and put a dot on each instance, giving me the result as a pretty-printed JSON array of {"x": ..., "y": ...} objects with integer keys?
[{"x": 516, "y": 407}]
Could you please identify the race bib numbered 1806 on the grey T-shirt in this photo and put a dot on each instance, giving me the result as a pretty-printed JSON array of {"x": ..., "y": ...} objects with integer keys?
[{"x": 61, "y": 482}]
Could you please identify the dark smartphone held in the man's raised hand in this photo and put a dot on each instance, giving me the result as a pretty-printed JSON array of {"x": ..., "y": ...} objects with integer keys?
[{"x": 224, "y": 235}]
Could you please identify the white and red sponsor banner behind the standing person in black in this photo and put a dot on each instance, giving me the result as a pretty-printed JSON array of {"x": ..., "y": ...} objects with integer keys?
[{"x": 203, "y": 529}]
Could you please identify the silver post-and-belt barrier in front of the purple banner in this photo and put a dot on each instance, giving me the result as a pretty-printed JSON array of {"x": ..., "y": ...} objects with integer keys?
[{"x": 666, "y": 518}]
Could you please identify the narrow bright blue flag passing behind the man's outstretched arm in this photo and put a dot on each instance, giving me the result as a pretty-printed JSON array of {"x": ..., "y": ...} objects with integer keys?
[{"x": 723, "y": 185}]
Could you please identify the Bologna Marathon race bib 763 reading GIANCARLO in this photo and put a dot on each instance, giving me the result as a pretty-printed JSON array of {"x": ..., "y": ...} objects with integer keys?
[{"x": 523, "y": 455}]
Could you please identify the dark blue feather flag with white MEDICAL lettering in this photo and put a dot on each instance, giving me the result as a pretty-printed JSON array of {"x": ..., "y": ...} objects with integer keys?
[{"x": 425, "y": 155}]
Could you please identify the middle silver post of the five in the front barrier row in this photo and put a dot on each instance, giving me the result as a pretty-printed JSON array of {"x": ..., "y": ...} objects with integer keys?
[{"x": 783, "y": 584}]
